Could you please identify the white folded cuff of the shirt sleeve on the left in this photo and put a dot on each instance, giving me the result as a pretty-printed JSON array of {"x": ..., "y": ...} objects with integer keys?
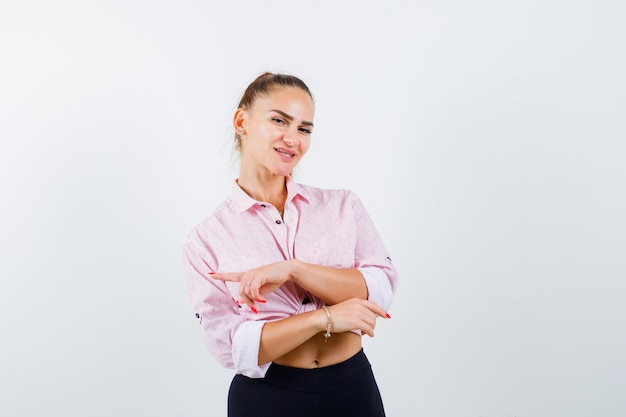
[{"x": 246, "y": 342}]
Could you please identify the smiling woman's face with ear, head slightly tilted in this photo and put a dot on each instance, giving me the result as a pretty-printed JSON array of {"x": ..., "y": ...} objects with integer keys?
[{"x": 276, "y": 131}]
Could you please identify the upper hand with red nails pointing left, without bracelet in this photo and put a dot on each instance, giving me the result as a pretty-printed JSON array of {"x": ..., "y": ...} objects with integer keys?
[{"x": 258, "y": 281}]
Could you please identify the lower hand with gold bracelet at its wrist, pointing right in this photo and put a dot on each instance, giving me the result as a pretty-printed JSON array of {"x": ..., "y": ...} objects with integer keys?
[{"x": 354, "y": 314}]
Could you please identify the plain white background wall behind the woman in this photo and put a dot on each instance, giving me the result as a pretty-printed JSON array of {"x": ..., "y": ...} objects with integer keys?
[{"x": 486, "y": 139}]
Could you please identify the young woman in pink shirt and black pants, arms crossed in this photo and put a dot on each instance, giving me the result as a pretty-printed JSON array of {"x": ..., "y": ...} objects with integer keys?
[{"x": 284, "y": 278}]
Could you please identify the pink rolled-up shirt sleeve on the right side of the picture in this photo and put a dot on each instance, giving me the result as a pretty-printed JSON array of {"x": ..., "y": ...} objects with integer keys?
[{"x": 372, "y": 259}]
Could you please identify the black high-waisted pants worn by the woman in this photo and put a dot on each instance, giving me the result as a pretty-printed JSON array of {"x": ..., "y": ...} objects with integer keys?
[{"x": 342, "y": 390}]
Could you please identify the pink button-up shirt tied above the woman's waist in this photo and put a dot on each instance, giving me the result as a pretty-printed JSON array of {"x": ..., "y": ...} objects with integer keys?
[{"x": 324, "y": 227}]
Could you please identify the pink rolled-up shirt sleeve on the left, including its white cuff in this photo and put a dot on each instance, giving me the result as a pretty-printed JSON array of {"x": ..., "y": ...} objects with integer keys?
[{"x": 230, "y": 337}]
